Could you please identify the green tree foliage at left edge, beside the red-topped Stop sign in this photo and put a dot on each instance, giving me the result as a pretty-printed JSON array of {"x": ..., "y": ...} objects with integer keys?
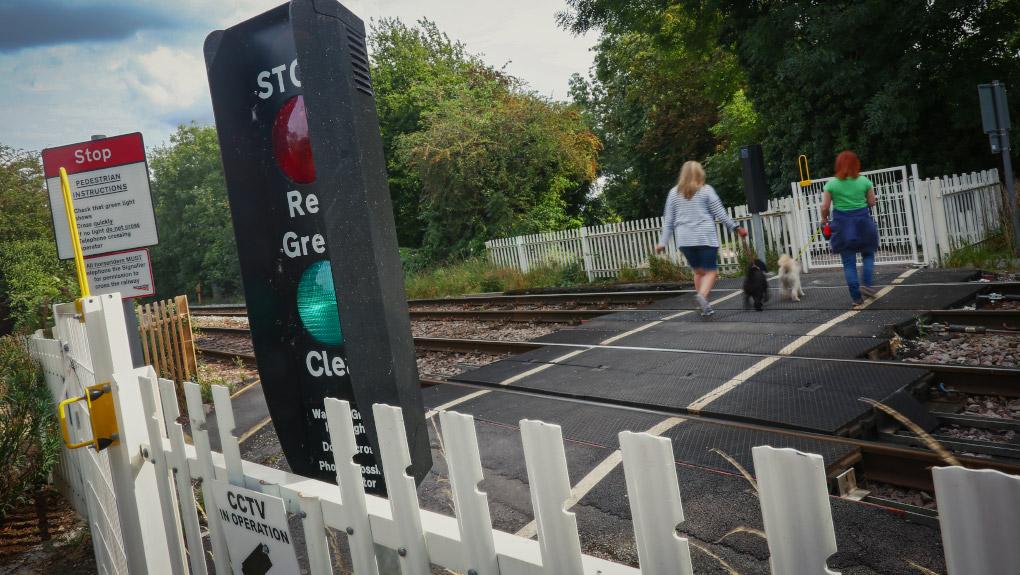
[{"x": 31, "y": 277}]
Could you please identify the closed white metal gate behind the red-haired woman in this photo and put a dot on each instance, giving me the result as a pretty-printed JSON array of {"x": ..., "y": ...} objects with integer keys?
[{"x": 895, "y": 215}]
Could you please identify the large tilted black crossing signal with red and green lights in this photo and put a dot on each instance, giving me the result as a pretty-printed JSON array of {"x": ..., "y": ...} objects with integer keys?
[{"x": 307, "y": 180}]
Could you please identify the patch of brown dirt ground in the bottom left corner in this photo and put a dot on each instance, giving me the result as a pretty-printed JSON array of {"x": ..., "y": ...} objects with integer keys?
[{"x": 46, "y": 537}]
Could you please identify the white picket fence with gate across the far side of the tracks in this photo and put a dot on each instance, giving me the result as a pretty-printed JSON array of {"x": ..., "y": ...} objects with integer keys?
[{"x": 921, "y": 223}]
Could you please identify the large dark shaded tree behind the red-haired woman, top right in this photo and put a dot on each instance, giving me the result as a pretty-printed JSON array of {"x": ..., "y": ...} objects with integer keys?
[{"x": 894, "y": 81}]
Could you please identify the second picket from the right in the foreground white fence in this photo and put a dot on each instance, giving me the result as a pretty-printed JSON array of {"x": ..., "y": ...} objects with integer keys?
[{"x": 795, "y": 510}]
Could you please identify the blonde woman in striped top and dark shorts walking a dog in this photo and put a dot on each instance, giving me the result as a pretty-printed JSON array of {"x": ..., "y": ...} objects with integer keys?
[{"x": 692, "y": 211}]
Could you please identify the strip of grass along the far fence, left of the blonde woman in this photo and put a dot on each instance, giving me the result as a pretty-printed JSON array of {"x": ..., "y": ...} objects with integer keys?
[{"x": 477, "y": 275}]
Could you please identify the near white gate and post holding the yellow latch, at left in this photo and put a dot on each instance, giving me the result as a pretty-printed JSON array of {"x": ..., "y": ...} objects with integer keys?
[{"x": 108, "y": 488}]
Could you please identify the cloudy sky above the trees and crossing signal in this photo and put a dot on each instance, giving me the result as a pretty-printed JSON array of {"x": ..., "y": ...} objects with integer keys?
[{"x": 72, "y": 69}]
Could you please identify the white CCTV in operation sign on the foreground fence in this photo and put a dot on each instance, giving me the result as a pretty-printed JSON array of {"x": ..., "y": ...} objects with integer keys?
[{"x": 259, "y": 538}]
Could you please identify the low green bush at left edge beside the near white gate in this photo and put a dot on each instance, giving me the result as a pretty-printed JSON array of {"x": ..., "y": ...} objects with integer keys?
[{"x": 29, "y": 441}]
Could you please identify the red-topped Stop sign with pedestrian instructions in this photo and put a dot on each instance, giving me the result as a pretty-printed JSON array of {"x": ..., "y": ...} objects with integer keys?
[{"x": 110, "y": 186}]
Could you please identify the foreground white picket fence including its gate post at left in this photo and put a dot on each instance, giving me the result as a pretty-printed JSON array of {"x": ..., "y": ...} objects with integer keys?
[{"x": 147, "y": 519}]
